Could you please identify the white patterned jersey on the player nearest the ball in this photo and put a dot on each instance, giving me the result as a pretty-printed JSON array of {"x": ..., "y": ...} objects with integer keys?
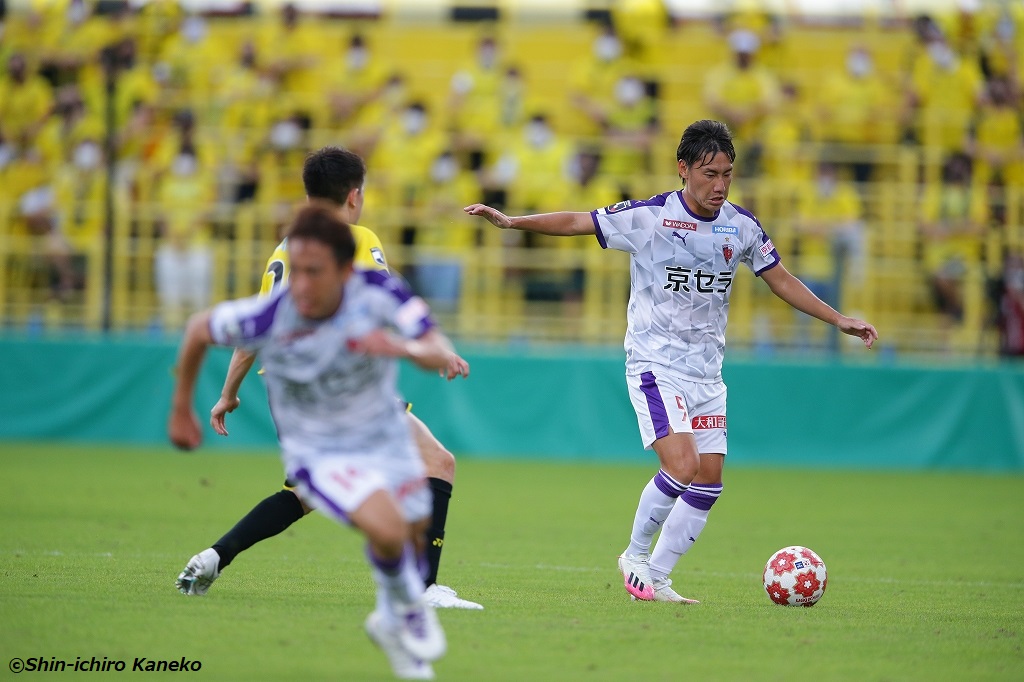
[{"x": 681, "y": 272}]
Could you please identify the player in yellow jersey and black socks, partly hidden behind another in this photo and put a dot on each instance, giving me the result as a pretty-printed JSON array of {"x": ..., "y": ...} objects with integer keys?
[{"x": 335, "y": 176}]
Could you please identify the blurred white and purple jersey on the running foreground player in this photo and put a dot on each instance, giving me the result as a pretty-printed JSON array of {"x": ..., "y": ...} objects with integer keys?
[{"x": 326, "y": 400}]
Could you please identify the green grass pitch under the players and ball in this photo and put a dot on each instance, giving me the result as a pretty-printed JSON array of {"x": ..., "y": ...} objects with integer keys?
[{"x": 926, "y": 574}]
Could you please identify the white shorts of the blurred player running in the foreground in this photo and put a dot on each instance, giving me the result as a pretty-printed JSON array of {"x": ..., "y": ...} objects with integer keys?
[{"x": 339, "y": 485}]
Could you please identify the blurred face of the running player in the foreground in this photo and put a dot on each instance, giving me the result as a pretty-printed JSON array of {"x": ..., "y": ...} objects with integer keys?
[{"x": 317, "y": 280}]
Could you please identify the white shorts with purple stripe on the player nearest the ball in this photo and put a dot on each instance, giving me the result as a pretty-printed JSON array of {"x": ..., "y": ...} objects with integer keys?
[{"x": 688, "y": 407}]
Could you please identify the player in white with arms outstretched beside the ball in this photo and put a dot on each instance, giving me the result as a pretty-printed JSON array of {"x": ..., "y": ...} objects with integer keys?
[{"x": 686, "y": 247}]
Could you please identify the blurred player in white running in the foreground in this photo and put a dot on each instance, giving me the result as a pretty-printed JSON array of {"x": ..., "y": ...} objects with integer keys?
[{"x": 328, "y": 344}]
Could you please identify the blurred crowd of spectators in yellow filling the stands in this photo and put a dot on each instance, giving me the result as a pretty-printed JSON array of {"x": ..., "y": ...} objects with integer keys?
[{"x": 880, "y": 139}]
